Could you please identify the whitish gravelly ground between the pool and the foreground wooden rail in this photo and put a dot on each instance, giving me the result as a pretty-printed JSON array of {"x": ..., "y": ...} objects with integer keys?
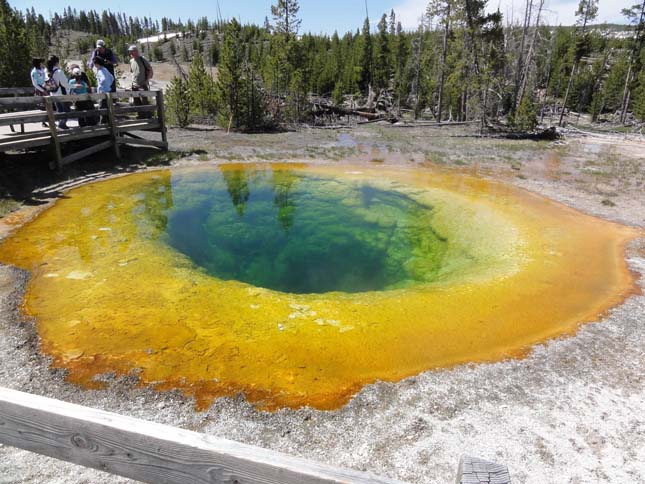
[{"x": 573, "y": 411}]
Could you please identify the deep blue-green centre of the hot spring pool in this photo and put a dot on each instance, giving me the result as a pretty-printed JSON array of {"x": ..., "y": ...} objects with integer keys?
[{"x": 300, "y": 233}]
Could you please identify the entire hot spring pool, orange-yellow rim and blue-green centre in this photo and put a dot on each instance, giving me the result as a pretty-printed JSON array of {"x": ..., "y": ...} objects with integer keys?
[{"x": 297, "y": 285}]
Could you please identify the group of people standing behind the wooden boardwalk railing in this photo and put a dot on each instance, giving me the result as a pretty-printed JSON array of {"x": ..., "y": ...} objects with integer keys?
[{"x": 48, "y": 79}]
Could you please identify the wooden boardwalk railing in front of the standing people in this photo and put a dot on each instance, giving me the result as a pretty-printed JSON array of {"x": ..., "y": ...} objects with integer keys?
[{"x": 32, "y": 111}]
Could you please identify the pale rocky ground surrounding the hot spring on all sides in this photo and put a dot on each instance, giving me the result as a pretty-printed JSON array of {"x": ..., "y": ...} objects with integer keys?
[{"x": 570, "y": 412}]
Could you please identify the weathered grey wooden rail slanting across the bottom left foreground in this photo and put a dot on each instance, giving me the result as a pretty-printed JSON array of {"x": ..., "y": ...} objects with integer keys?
[{"x": 151, "y": 452}]
